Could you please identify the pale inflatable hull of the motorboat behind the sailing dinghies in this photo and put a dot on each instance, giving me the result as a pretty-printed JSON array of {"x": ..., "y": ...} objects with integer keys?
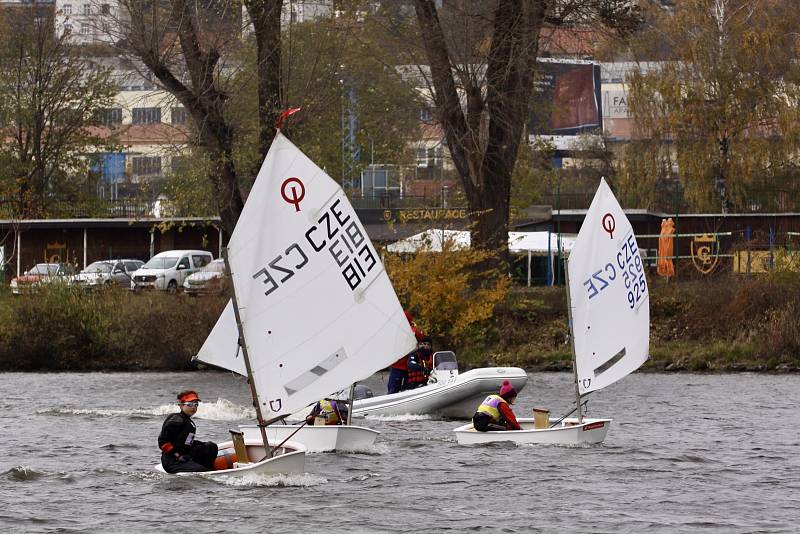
[{"x": 456, "y": 399}]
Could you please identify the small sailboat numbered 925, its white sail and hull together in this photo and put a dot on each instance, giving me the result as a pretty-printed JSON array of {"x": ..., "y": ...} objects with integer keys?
[{"x": 609, "y": 313}]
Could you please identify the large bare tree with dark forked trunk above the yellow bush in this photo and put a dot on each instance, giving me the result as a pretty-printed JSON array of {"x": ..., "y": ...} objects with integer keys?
[{"x": 482, "y": 58}]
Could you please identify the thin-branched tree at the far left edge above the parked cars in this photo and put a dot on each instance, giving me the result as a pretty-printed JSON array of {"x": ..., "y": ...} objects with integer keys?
[{"x": 52, "y": 100}]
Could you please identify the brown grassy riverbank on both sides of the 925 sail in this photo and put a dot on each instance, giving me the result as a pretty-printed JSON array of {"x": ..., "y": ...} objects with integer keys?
[{"x": 723, "y": 325}]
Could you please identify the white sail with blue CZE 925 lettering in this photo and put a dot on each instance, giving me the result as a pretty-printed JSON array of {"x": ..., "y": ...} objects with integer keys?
[{"x": 609, "y": 296}]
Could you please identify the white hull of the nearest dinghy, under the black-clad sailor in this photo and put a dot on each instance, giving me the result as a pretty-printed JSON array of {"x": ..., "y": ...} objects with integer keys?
[{"x": 288, "y": 460}]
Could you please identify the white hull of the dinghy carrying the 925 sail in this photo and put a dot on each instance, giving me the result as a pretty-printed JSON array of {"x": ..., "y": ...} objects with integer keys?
[{"x": 568, "y": 432}]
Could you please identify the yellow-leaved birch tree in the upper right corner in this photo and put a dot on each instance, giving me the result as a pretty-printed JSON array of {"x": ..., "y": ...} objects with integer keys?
[{"x": 720, "y": 106}]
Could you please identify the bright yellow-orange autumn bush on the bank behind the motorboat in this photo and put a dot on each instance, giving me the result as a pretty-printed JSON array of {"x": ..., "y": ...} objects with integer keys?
[{"x": 451, "y": 294}]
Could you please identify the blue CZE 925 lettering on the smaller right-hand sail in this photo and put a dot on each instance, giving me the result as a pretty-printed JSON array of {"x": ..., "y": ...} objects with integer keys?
[{"x": 628, "y": 266}]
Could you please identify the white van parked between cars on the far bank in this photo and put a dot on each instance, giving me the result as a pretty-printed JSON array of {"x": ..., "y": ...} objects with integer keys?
[{"x": 166, "y": 271}]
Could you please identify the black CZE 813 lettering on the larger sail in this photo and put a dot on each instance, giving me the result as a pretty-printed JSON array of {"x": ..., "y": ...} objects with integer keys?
[{"x": 338, "y": 233}]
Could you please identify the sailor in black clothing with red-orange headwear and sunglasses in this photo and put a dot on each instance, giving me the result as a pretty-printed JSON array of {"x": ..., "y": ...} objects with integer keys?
[{"x": 180, "y": 452}]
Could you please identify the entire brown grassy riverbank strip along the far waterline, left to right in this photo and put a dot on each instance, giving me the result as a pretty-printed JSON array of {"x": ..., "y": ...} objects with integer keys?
[{"x": 727, "y": 324}]
